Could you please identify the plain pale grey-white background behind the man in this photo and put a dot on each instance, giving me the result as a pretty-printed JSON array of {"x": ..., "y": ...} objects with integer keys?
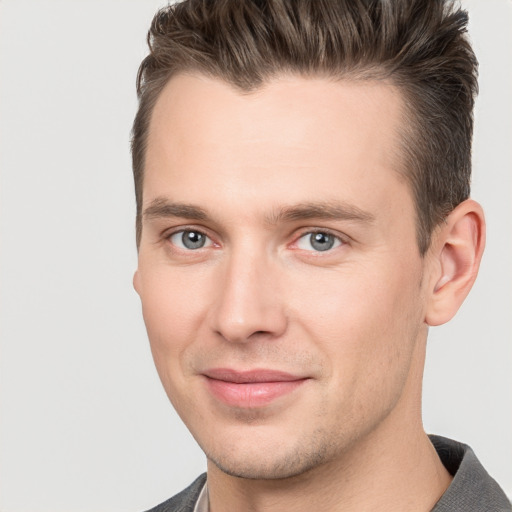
[{"x": 84, "y": 423}]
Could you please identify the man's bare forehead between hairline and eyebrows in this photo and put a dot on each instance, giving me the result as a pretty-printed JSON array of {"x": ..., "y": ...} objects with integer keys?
[{"x": 302, "y": 139}]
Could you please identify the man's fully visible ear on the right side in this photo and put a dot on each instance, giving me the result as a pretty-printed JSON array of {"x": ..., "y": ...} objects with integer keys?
[{"x": 456, "y": 252}]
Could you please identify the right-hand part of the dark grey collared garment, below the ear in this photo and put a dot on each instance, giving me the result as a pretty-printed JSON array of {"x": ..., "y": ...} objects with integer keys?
[{"x": 472, "y": 488}]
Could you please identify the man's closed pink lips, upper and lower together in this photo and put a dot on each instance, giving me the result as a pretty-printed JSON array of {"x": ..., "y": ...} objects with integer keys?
[{"x": 252, "y": 388}]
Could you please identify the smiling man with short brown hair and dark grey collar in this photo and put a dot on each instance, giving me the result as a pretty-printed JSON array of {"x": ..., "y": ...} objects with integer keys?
[{"x": 303, "y": 216}]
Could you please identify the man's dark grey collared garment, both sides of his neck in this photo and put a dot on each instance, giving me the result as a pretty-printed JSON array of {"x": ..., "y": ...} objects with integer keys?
[{"x": 471, "y": 490}]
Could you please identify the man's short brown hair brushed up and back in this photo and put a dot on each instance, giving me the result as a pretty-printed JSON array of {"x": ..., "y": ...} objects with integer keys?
[{"x": 419, "y": 46}]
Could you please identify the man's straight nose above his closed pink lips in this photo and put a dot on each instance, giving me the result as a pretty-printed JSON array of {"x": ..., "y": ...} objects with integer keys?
[{"x": 249, "y": 304}]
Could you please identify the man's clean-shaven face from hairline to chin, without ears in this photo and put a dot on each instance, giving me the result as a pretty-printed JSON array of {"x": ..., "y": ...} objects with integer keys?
[{"x": 281, "y": 283}]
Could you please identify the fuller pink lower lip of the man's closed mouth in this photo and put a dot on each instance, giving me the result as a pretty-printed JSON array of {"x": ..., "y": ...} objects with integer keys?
[{"x": 251, "y": 394}]
